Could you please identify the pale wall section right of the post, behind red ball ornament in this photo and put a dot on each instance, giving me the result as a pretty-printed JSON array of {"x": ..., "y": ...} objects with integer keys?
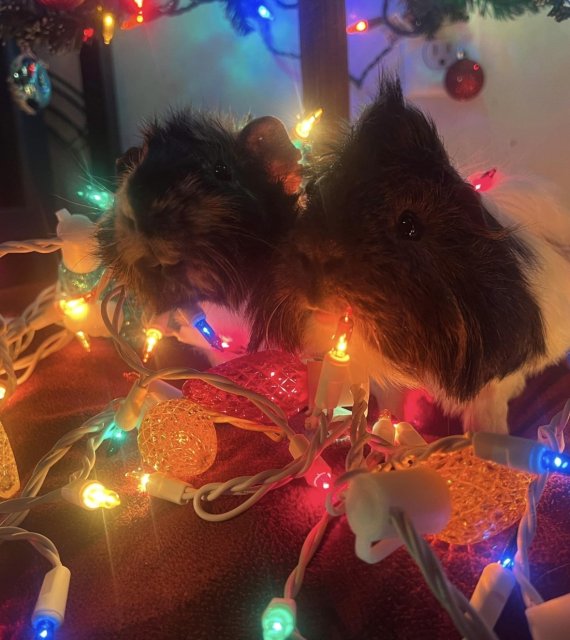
[{"x": 520, "y": 122}]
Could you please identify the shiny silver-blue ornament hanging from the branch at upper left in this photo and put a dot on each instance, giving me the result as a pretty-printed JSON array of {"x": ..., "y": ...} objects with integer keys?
[{"x": 29, "y": 83}]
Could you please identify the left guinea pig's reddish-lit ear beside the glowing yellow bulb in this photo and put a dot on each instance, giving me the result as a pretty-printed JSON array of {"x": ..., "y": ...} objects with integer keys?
[{"x": 265, "y": 141}]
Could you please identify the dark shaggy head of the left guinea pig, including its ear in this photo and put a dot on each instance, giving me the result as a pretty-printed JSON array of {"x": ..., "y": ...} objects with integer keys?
[{"x": 199, "y": 209}]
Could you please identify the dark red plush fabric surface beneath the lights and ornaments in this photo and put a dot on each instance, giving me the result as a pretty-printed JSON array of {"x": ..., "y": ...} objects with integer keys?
[{"x": 150, "y": 569}]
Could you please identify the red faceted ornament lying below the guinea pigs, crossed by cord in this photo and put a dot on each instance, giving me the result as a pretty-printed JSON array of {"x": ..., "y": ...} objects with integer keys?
[{"x": 278, "y": 376}]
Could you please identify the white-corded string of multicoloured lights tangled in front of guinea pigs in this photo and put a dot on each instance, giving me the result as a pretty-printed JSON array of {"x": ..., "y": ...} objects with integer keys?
[{"x": 388, "y": 460}]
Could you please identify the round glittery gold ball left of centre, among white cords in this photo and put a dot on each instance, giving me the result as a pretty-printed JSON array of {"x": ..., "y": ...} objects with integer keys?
[{"x": 179, "y": 438}]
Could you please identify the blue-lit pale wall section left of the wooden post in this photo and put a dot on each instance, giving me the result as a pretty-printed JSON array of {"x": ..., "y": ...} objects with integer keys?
[{"x": 198, "y": 59}]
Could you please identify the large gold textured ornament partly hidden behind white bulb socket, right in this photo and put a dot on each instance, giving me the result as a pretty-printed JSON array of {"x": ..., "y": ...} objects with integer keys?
[{"x": 486, "y": 498}]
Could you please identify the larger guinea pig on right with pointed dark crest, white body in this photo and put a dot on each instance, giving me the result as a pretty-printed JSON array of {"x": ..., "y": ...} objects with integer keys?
[{"x": 449, "y": 292}]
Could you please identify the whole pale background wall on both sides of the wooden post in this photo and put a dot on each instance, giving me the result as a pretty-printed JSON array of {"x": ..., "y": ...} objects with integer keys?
[{"x": 521, "y": 120}]
